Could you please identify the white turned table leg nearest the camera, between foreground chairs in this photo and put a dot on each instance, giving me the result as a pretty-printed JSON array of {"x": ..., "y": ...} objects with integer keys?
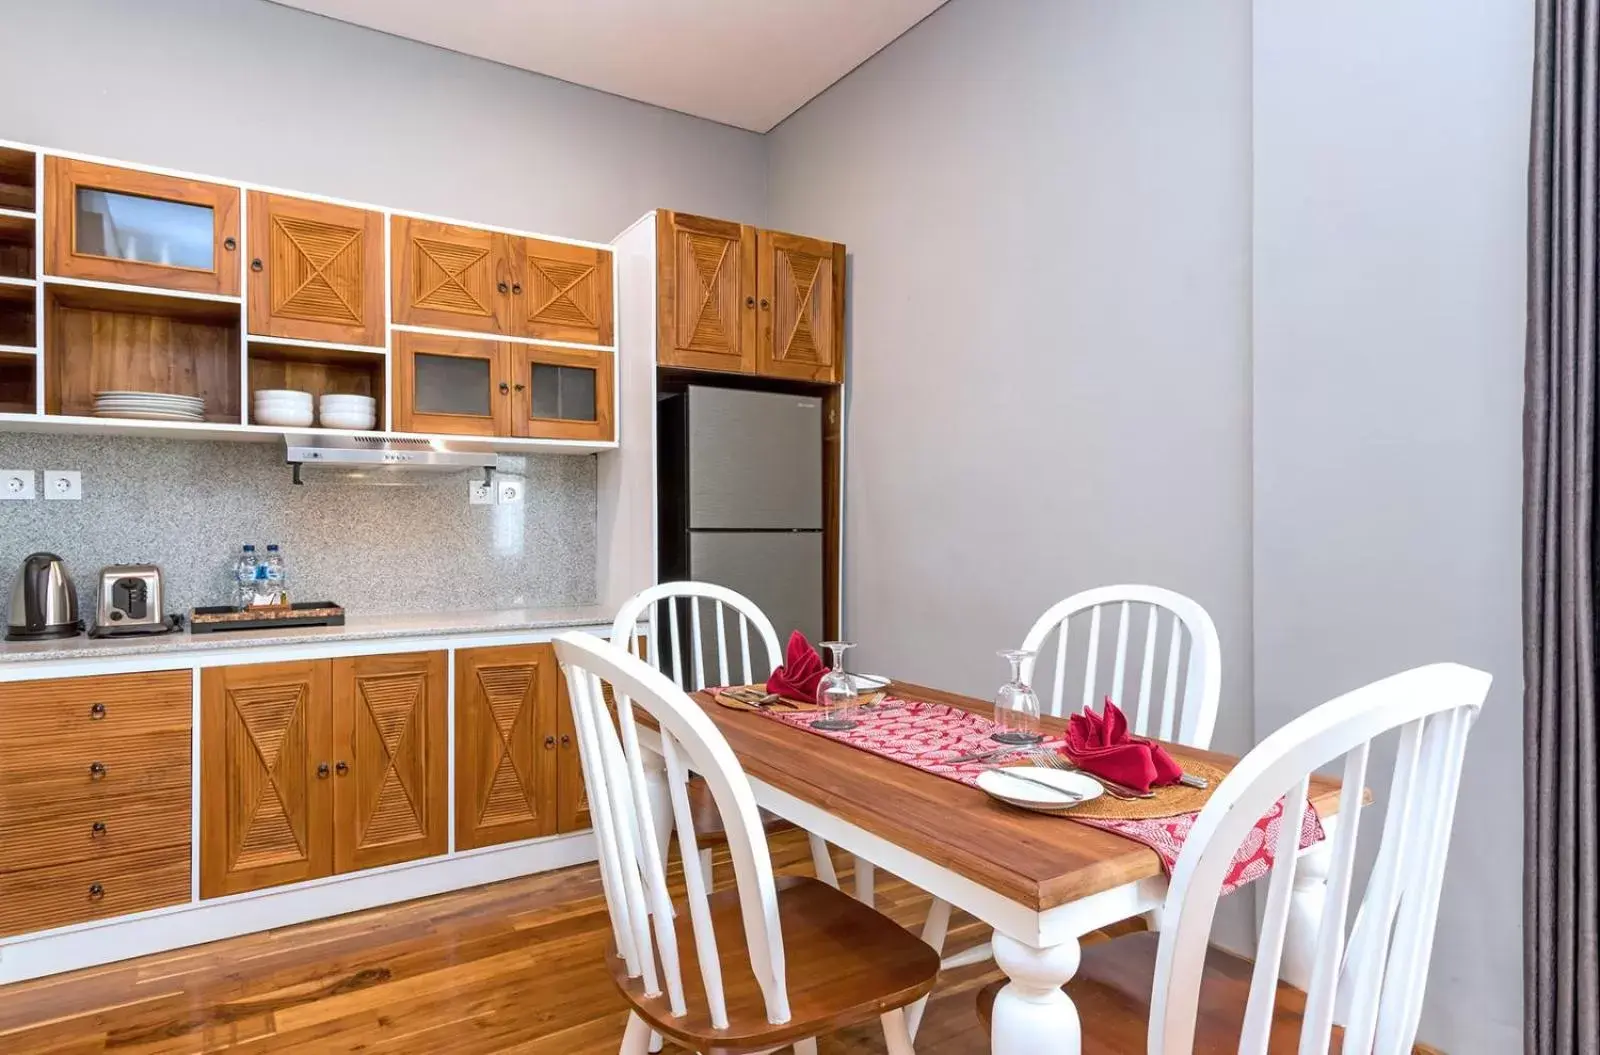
[{"x": 1033, "y": 1016}]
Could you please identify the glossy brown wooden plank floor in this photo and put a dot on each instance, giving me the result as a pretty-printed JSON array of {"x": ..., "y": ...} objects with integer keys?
[{"x": 511, "y": 968}]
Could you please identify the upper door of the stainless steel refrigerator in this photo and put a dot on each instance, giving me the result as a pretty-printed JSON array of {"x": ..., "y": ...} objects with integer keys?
[{"x": 756, "y": 460}]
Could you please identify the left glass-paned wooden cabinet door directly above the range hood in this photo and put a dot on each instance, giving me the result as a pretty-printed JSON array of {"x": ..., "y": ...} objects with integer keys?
[{"x": 452, "y": 387}]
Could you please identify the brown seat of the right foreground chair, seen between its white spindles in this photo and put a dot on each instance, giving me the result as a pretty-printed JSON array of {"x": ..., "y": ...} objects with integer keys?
[{"x": 1113, "y": 993}]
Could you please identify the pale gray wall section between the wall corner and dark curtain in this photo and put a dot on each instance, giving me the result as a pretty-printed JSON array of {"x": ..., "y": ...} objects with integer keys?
[{"x": 1390, "y": 265}]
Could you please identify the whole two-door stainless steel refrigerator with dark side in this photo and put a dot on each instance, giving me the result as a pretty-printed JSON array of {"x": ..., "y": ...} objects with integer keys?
[{"x": 742, "y": 499}]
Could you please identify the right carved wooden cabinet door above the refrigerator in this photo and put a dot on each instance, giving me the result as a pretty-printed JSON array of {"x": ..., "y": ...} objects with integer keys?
[{"x": 802, "y": 292}]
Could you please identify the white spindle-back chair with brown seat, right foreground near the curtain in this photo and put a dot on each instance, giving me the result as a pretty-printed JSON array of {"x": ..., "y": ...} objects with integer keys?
[{"x": 1367, "y": 977}]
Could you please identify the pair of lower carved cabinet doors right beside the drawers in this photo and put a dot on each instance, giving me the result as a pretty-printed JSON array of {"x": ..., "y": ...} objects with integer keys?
[{"x": 311, "y": 769}]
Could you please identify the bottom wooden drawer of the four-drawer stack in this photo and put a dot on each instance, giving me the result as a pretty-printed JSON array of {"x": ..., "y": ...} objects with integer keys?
[{"x": 58, "y": 896}]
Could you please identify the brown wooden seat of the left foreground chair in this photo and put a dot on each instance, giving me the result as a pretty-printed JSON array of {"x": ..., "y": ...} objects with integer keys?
[{"x": 846, "y": 965}]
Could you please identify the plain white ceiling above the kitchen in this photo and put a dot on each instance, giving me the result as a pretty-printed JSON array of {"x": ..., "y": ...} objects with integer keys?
[{"x": 746, "y": 63}]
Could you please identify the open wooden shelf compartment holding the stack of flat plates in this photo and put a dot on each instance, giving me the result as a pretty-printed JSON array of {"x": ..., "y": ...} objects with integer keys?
[{"x": 118, "y": 340}]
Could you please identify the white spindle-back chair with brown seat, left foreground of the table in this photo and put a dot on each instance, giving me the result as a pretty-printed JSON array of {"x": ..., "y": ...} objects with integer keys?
[{"x": 780, "y": 960}]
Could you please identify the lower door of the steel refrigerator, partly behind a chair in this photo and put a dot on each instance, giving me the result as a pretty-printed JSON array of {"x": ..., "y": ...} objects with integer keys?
[{"x": 780, "y": 571}]
